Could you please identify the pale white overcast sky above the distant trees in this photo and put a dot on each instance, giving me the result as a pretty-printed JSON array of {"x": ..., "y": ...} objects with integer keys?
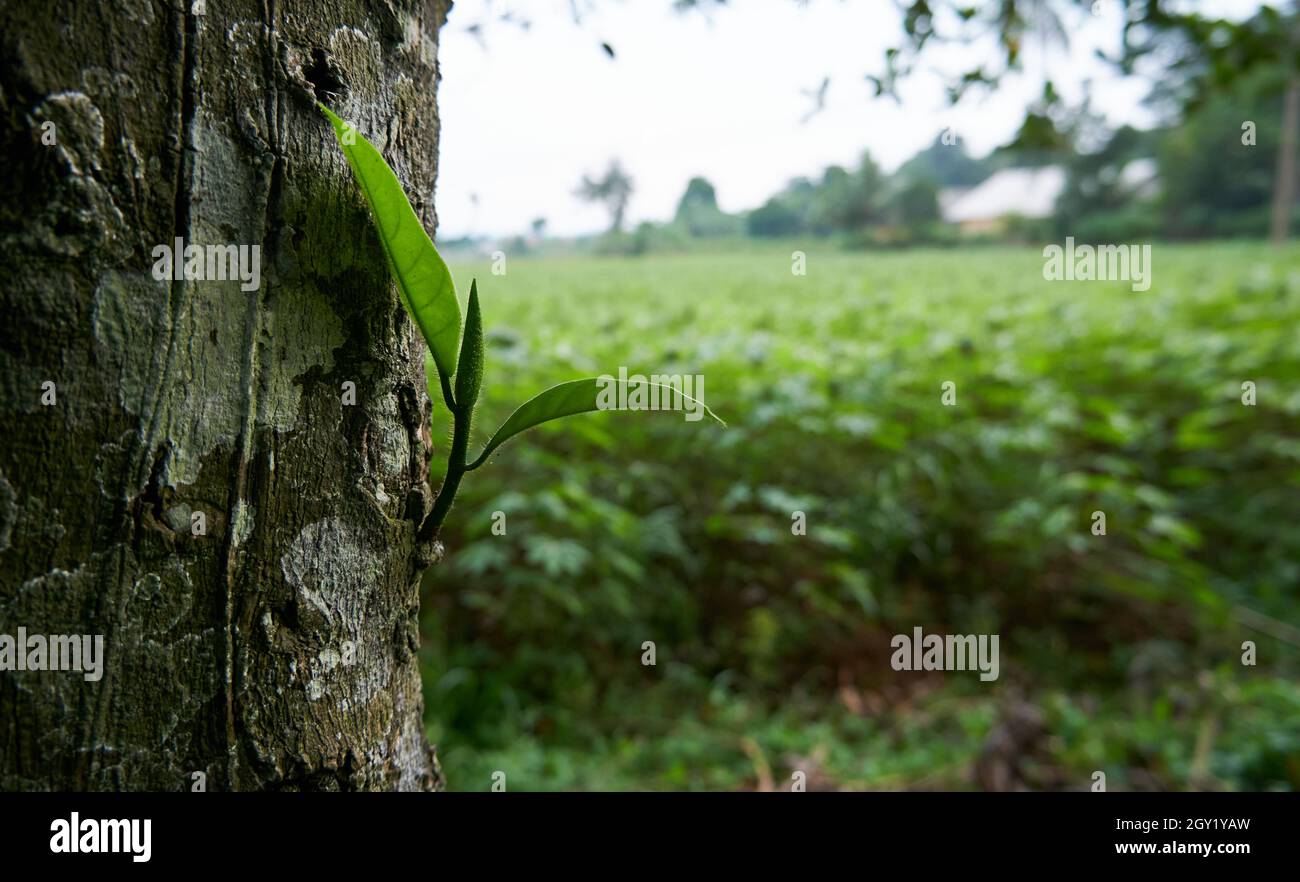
[{"x": 718, "y": 96}]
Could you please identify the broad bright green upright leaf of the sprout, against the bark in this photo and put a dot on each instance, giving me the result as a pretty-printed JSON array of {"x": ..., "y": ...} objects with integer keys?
[{"x": 423, "y": 279}]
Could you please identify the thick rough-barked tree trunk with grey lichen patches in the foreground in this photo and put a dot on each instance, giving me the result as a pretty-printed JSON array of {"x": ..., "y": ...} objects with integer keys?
[{"x": 278, "y": 648}]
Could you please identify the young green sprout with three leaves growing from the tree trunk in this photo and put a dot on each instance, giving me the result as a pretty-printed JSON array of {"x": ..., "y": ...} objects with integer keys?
[{"x": 428, "y": 293}]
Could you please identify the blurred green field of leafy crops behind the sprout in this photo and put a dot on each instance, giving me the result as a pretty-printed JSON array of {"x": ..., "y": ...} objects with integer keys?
[{"x": 774, "y": 648}]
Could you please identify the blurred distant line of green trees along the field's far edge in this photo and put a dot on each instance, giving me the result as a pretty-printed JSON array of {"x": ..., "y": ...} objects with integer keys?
[{"x": 1215, "y": 176}]
